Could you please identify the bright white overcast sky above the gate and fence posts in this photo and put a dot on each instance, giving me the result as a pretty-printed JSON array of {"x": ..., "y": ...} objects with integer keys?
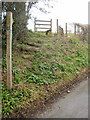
[{"x": 66, "y": 11}]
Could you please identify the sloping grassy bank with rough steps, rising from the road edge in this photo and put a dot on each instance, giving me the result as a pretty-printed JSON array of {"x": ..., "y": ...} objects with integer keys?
[{"x": 41, "y": 64}]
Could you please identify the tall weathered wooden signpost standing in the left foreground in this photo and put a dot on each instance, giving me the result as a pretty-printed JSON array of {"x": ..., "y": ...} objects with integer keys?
[{"x": 9, "y": 22}]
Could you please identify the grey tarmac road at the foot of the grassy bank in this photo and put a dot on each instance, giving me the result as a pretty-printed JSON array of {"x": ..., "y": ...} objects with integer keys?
[{"x": 73, "y": 105}]
